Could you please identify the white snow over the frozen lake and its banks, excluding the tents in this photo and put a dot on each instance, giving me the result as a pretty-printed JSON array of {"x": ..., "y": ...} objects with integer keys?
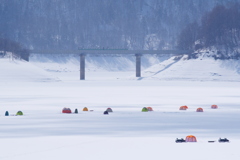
[{"x": 42, "y": 89}]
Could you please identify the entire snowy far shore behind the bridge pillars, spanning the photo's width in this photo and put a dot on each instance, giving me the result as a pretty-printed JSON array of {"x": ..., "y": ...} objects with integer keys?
[{"x": 164, "y": 68}]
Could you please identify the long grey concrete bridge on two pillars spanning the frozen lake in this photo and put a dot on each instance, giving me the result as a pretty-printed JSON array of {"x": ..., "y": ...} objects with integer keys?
[{"x": 138, "y": 53}]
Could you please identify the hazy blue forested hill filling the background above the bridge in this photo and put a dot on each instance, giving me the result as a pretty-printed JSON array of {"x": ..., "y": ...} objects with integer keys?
[{"x": 69, "y": 24}]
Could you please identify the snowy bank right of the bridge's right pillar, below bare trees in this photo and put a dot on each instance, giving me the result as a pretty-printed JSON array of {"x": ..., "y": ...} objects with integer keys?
[{"x": 200, "y": 69}]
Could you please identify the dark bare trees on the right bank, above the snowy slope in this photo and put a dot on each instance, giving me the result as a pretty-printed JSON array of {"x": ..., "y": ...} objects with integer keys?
[{"x": 219, "y": 29}]
